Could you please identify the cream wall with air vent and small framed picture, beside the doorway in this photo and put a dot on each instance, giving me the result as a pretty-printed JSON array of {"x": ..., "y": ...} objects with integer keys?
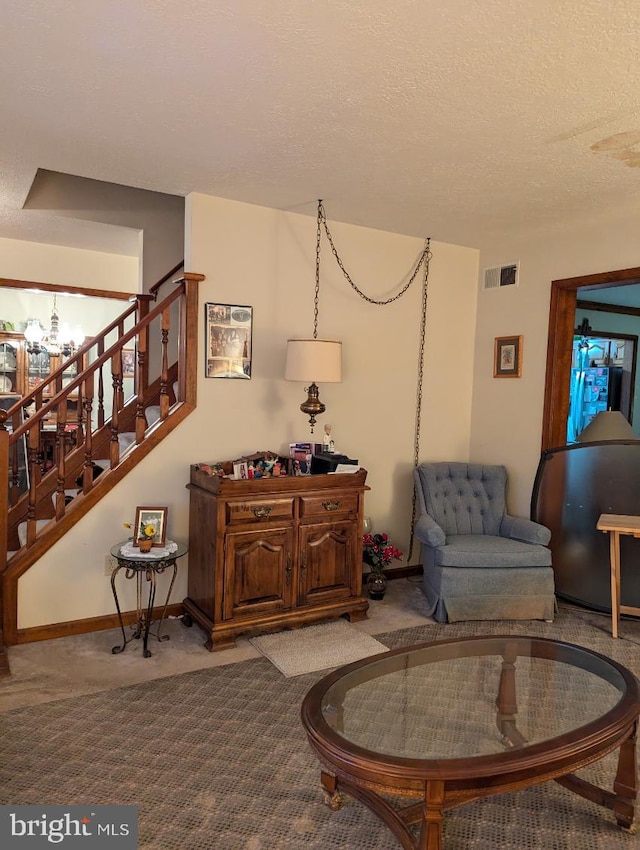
[{"x": 506, "y": 425}]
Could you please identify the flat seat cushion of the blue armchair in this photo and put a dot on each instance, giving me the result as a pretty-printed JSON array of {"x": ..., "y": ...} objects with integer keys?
[{"x": 486, "y": 550}]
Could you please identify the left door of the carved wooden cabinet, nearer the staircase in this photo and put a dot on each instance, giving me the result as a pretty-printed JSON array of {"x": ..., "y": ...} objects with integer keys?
[{"x": 257, "y": 572}]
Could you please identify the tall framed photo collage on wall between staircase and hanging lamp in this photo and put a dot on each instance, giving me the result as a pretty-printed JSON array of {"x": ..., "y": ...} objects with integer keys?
[{"x": 228, "y": 341}]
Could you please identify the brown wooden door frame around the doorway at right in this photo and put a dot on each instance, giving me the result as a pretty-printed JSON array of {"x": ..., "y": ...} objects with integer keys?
[{"x": 562, "y": 311}]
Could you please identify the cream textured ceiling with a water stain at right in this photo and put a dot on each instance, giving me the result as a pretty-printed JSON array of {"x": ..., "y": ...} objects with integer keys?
[{"x": 456, "y": 119}]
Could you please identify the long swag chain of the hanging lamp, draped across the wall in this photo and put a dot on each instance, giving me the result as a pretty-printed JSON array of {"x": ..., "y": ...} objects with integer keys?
[{"x": 422, "y": 262}]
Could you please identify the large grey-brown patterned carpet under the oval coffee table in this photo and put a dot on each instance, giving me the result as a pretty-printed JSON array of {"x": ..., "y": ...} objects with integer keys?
[{"x": 217, "y": 760}]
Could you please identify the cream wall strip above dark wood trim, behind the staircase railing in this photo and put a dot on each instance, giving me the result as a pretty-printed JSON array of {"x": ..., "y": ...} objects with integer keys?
[{"x": 34, "y": 261}]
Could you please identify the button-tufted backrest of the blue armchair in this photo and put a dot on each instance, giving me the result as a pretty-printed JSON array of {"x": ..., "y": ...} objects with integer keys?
[{"x": 464, "y": 498}]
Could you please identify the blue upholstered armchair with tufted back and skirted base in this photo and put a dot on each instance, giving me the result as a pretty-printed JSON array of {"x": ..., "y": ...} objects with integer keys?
[{"x": 479, "y": 563}]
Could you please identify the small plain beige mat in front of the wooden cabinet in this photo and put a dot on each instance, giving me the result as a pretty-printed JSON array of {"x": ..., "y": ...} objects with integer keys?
[{"x": 318, "y": 647}]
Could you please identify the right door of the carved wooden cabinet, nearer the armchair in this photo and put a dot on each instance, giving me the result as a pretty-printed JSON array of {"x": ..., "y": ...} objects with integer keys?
[{"x": 328, "y": 562}]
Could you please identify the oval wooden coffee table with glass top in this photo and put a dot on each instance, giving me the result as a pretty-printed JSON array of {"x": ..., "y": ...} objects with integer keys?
[{"x": 457, "y": 720}]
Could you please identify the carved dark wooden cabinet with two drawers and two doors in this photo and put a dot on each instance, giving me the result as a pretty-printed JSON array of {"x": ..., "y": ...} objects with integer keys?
[{"x": 271, "y": 553}]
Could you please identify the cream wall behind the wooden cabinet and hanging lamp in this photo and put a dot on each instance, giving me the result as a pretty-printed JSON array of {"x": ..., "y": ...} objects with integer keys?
[{"x": 266, "y": 258}]
